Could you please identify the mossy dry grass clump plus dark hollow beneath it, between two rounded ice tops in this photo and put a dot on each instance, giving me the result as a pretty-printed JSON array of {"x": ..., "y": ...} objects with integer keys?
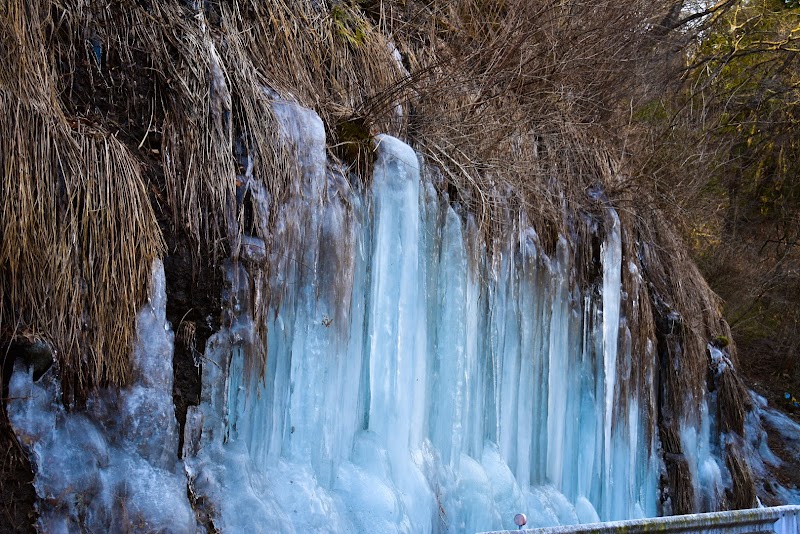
[{"x": 327, "y": 56}]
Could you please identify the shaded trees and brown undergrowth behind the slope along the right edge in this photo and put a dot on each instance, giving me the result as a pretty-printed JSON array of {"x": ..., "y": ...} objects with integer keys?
[{"x": 743, "y": 107}]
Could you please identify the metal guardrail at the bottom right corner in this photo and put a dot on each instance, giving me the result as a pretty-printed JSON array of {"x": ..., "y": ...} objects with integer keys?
[{"x": 778, "y": 519}]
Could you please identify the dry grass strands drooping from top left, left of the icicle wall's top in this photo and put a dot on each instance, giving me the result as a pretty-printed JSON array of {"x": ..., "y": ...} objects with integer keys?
[{"x": 196, "y": 133}]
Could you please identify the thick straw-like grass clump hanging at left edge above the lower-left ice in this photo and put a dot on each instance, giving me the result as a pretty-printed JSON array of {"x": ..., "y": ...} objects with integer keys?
[{"x": 78, "y": 240}]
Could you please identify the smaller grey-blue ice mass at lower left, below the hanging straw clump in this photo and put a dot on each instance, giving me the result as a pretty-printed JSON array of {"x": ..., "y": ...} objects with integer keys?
[{"x": 114, "y": 466}]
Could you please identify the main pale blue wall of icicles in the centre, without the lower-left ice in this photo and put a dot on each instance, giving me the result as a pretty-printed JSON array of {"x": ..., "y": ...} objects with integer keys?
[{"x": 413, "y": 384}]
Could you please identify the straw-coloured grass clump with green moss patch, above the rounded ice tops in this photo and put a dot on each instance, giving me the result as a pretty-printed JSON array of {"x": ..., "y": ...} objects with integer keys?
[{"x": 328, "y": 55}]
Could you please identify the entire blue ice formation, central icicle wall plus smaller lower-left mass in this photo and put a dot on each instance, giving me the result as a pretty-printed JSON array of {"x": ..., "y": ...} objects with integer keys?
[{"x": 418, "y": 379}]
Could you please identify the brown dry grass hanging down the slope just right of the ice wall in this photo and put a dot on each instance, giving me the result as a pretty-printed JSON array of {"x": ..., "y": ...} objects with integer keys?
[{"x": 690, "y": 307}]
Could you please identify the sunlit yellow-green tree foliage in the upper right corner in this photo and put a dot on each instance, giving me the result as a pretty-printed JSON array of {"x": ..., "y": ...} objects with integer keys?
[{"x": 749, "y": 71}]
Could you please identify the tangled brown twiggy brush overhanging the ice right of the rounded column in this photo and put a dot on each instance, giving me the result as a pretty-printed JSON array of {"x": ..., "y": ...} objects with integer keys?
[{"x": 510, "y": 97}]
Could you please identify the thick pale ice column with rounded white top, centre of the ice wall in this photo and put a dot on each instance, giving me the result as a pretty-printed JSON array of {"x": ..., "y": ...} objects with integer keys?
[{"x": 396, "y": 331}]
